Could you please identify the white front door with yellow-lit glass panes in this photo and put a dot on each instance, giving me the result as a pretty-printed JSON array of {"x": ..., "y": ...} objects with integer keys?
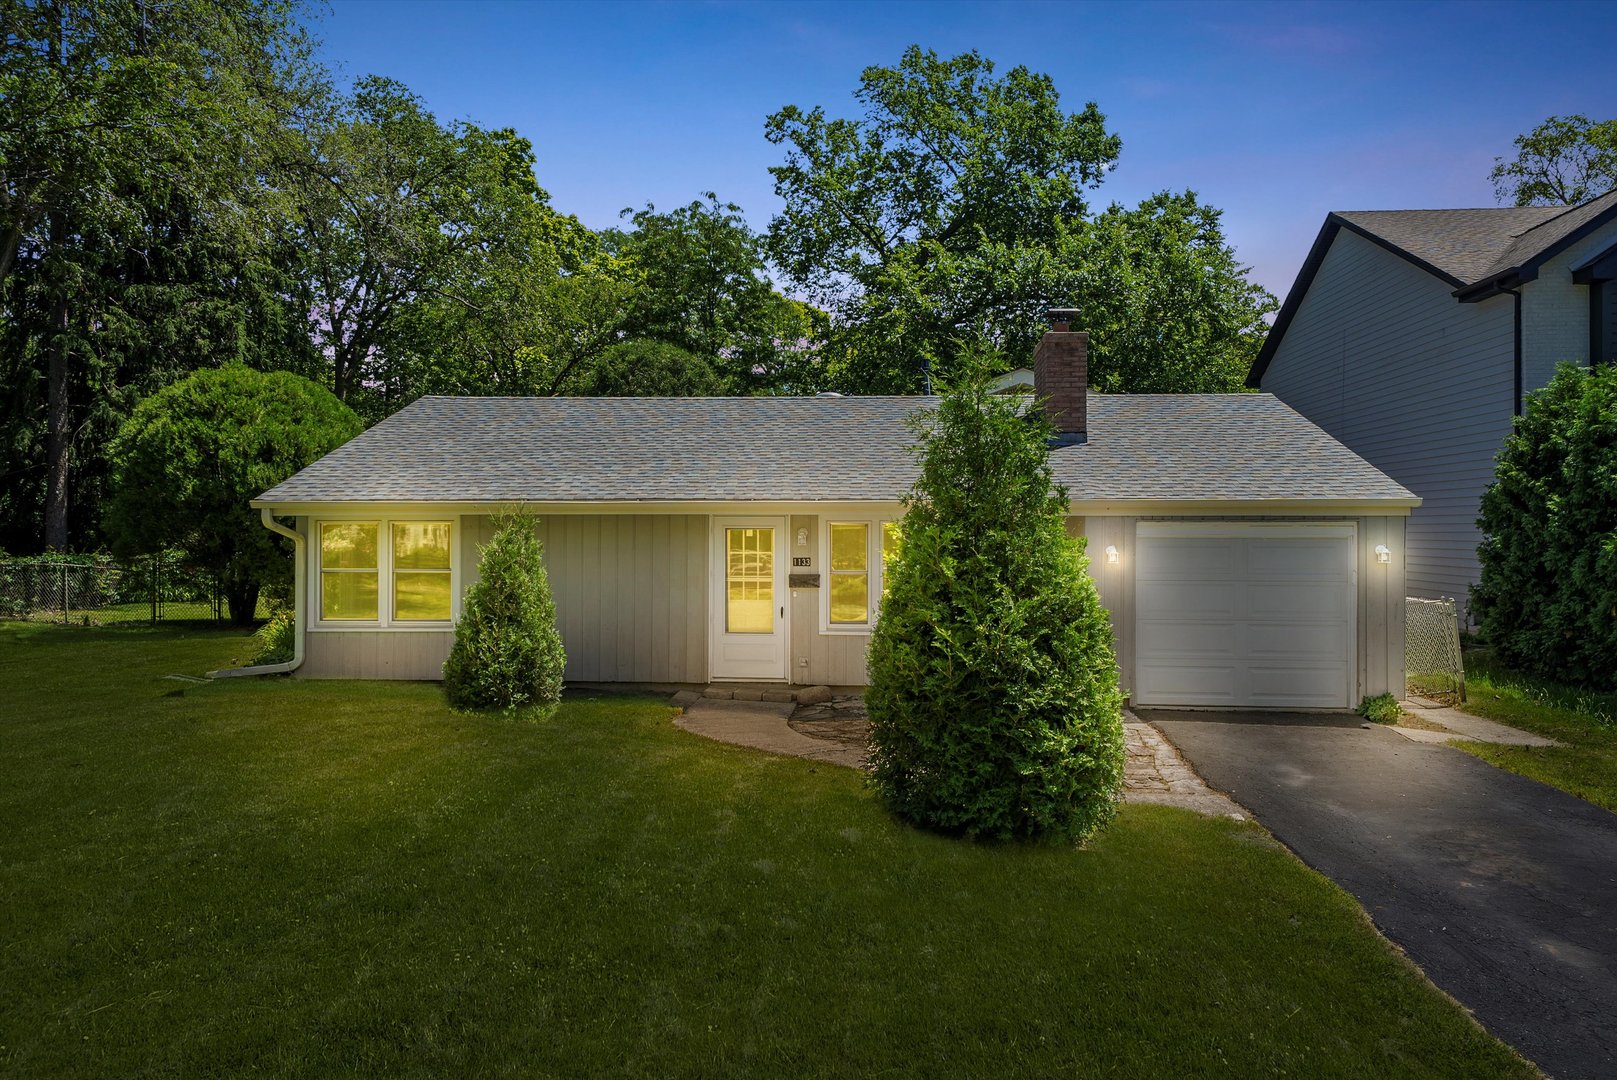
[{"x": 748, "y": 607}]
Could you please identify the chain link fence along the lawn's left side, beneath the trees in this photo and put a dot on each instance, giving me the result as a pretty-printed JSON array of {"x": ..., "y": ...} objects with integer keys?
[{"x": 103, "y": 593}]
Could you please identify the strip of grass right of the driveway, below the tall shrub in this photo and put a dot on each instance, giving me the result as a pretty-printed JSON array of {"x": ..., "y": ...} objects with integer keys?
[{"x": 1585, "y": 722}]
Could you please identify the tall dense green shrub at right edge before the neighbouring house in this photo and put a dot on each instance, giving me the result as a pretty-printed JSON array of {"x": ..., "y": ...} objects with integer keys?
[{"x": 1548, "y": 597}]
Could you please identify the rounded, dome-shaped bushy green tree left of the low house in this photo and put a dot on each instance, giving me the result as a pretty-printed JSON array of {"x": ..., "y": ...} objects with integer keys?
[{"x": 195, "y": 454}]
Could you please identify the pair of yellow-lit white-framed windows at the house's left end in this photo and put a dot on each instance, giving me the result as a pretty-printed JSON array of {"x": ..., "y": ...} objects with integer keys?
[{"x": 387, "y": 573}]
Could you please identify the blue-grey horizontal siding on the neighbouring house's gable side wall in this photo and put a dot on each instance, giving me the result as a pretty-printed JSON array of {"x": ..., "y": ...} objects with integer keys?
[{"x": 1383, "y": 358}]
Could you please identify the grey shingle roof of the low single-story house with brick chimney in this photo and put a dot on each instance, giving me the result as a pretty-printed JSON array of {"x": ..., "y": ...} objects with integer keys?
[{"x": 673, "y": 450}]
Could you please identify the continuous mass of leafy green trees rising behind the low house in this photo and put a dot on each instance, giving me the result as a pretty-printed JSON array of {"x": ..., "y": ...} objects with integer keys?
[{"x": 185, "y": 188}]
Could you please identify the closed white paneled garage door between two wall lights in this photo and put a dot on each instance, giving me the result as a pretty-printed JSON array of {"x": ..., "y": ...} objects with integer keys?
[{"x": 1244, "y": 615}]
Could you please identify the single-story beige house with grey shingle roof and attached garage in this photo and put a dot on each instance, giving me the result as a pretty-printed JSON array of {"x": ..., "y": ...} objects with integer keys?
[{"x": 1248, "y": 559}]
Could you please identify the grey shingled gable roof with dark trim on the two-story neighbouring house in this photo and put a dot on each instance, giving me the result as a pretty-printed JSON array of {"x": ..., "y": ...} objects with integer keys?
[{"x": 1477, "y": 253}]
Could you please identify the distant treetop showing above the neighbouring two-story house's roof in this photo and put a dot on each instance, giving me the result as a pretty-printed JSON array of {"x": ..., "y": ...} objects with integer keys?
[{"x": 1563, "y": 161}]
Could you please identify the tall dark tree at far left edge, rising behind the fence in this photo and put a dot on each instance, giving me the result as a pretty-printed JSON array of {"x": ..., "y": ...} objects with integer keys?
[{"x": 133, "y": 143}]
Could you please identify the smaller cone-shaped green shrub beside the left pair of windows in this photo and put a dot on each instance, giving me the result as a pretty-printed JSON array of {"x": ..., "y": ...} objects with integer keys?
[{"x": 507, "y": 649}]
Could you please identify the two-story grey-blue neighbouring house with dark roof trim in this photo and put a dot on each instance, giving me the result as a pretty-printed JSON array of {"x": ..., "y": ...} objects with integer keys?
[{"x": 1412, "y": 337}]
